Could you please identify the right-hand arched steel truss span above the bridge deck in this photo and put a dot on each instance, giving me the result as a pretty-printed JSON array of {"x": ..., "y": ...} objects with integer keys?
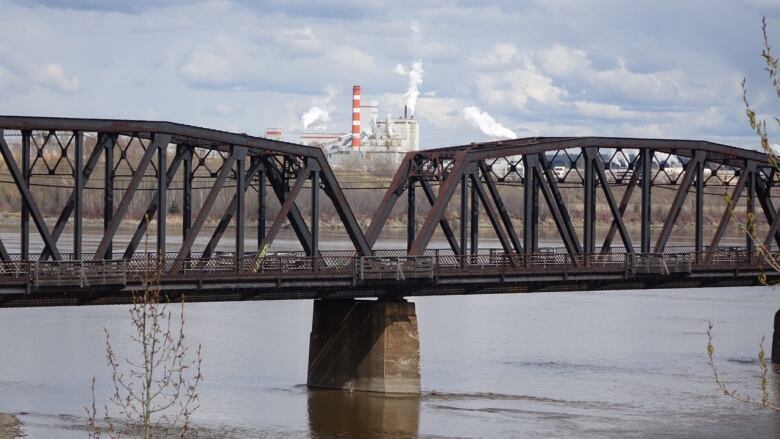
[{"x": 579, "y": 184}]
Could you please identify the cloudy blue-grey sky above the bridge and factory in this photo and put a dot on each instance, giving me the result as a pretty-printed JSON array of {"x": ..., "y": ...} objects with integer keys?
[{"x": 480, "y": 70}]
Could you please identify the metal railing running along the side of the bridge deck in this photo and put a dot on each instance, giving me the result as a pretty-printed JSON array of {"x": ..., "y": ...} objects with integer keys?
[{"x": 383, "y": 266}]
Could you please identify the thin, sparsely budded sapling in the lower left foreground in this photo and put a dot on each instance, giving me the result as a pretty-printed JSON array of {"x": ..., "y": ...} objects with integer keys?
[{"x": 155, "y": 387}]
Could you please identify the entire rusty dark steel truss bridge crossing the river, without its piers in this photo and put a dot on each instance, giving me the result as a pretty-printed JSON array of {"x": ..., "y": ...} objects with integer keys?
[{"x": 149, "y": 164}]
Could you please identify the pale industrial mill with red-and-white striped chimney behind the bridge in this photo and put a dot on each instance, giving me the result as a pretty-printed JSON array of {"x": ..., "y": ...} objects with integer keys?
[{"x": 378, "y": 145}]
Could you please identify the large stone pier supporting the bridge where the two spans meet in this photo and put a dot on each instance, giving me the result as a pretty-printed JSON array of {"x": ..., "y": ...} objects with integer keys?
[{"x": 364, "y": 345}]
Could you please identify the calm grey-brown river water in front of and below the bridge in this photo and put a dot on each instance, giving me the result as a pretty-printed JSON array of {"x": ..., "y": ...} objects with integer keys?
[{"x": 595, "y": 364}]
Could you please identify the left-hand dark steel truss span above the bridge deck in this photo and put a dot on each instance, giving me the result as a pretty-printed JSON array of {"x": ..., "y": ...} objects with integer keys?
[{"x": 138, "y": 165}]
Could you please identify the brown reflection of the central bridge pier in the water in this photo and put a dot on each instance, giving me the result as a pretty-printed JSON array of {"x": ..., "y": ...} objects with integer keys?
[{"x": 336, "y": 413}]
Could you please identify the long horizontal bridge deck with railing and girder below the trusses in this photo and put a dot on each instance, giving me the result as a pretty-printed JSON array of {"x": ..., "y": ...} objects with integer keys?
[{"x": 388, "y": 273}]
